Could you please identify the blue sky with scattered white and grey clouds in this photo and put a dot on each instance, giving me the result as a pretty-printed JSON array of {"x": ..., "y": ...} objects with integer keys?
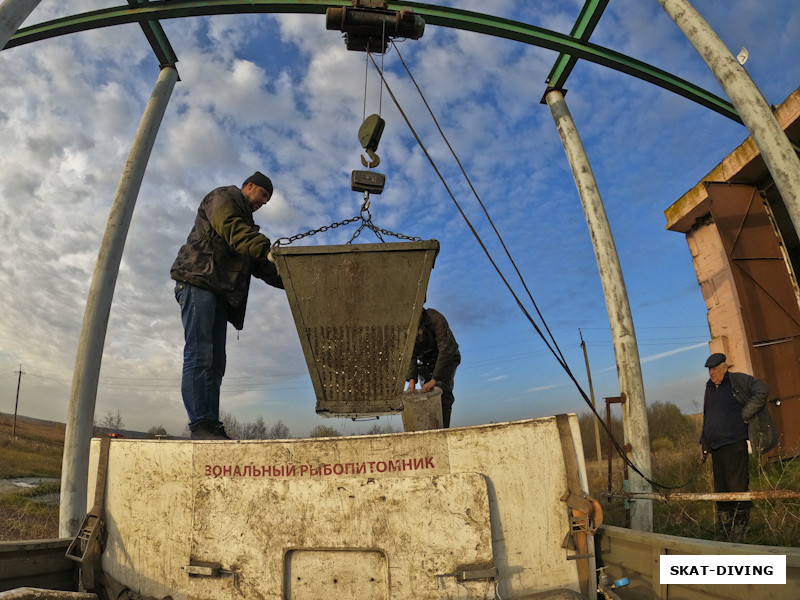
[{"x": 282, "y": 95}]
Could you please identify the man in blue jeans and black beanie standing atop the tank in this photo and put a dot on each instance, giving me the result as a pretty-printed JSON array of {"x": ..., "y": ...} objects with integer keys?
[{"x": 212, "y": 274}]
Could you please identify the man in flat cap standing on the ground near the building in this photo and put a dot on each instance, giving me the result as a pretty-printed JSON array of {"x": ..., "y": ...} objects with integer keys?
[{"x": 734, "y": 410}]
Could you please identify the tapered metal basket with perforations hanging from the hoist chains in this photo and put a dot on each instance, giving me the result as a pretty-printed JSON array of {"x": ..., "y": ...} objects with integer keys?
[{"x": 357, "y": 308}]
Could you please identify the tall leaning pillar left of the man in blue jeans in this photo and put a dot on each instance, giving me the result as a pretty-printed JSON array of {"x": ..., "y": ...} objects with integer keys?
[{"x": 80, "y": 417}]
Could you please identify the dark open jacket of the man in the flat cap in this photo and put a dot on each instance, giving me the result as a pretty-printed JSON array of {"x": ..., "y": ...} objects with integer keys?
[{"x": 752, "y": 394}]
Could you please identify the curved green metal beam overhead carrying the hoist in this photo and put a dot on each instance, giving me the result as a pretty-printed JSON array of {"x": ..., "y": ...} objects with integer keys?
[{"x": 150, "y": 12}]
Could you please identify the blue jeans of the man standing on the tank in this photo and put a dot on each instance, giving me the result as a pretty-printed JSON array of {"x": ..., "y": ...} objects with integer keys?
[{"x": 205, "y": 324}]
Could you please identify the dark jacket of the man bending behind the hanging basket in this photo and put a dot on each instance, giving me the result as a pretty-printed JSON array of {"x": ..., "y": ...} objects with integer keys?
[{"x": 436, "y": 354}]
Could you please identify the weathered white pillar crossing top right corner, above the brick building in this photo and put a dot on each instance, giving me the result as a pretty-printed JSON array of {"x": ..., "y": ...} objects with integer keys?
[{"x": 775, "y": 148}]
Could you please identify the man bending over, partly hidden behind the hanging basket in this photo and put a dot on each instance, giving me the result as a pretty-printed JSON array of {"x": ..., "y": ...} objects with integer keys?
[{"x": 435, "y": 359}]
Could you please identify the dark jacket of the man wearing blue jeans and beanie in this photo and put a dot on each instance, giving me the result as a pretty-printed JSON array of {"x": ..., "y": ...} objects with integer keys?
[{"x": 224, "y": 249}]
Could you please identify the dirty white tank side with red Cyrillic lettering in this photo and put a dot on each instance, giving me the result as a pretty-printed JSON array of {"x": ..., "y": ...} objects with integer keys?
[{"x": 413, "y": 515}]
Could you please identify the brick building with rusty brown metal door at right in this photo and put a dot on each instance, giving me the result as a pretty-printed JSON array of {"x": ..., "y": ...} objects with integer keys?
[{"x": 746, "y": 253}]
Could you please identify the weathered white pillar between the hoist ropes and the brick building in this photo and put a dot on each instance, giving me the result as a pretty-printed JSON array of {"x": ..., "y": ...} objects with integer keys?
[{"x": 626, "y": 349}]
